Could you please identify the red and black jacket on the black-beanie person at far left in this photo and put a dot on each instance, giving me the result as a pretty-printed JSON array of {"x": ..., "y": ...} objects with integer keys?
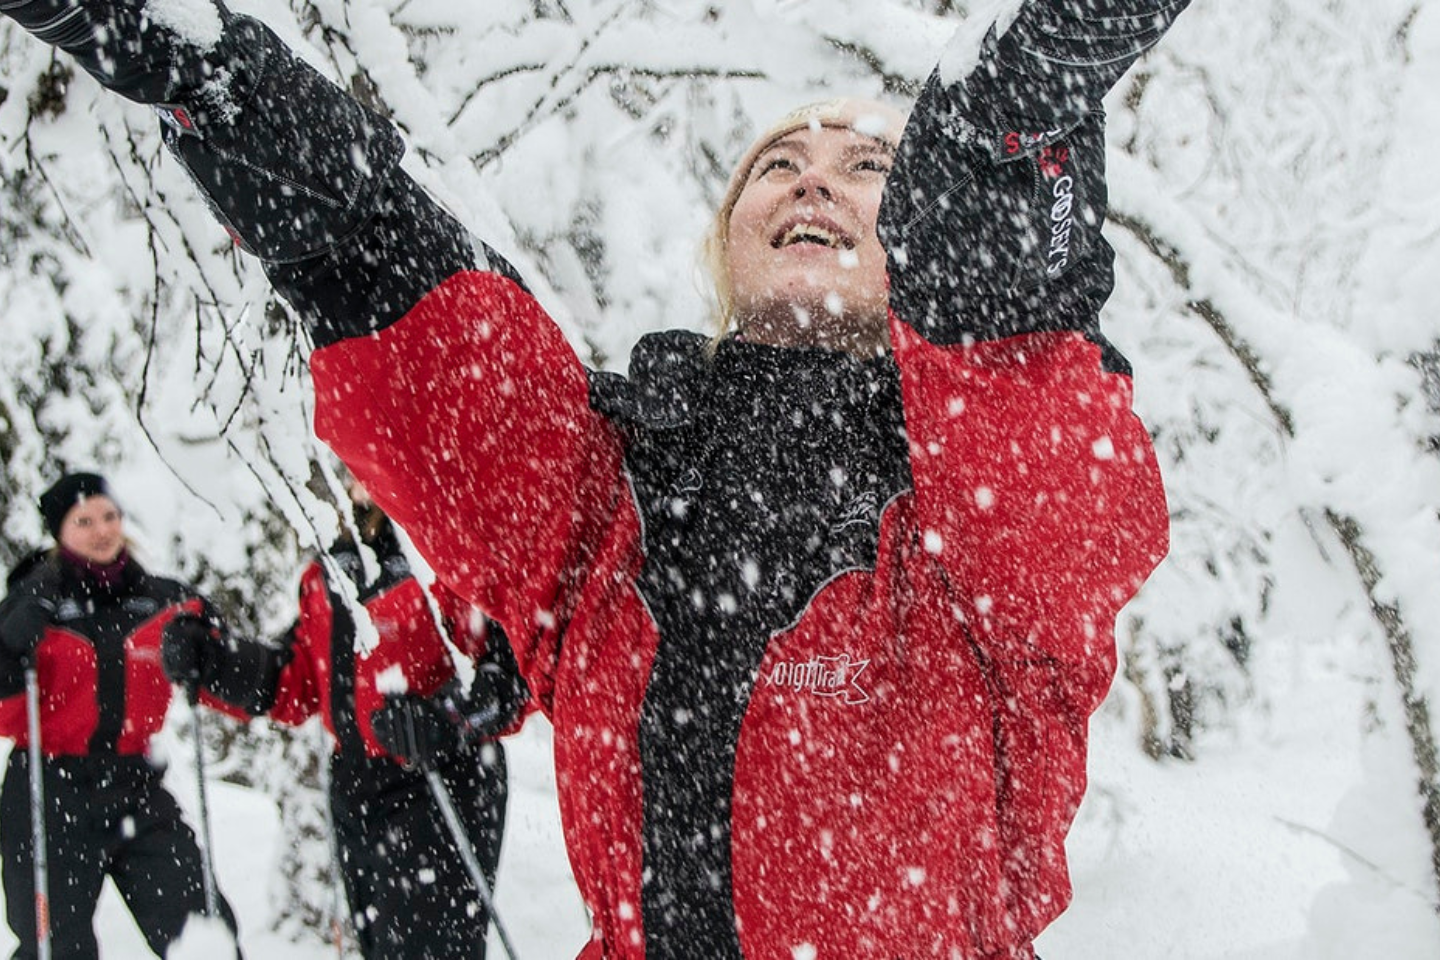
[{"x": 103, "y": 692}]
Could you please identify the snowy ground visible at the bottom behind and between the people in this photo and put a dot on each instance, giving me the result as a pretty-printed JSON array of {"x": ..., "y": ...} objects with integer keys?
[{"x": 1243, "y": 856}]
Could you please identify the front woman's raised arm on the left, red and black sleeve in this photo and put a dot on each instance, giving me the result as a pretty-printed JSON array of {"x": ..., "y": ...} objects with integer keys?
[{"x": 440, "y": 381}]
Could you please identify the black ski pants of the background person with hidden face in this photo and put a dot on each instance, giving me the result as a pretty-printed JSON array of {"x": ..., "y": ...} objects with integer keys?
[{"x": 410, "y": 893}]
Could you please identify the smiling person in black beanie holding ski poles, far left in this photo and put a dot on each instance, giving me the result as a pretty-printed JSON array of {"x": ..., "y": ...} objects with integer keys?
[{"x": 87, "y": 617}]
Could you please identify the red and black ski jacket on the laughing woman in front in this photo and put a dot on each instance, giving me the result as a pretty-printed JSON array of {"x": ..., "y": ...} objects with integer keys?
[{"x": 820, "y": 638}]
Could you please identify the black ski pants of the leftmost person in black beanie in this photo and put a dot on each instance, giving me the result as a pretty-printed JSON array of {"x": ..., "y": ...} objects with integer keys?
[{"x": 106, "y": 817}]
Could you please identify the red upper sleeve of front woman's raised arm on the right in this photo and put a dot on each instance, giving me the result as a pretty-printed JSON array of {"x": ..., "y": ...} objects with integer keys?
[{"x": 1038, "y": 487}]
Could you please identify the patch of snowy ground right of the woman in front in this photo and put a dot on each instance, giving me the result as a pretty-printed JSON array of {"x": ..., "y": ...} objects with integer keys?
[{"x": 1228, "y": 859}]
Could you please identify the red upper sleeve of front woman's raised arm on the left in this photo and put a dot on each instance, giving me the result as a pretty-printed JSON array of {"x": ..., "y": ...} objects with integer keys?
[{"x": 469, "y": 421}]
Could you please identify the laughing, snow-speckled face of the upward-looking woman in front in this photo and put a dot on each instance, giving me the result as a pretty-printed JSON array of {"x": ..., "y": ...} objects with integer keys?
[{"x": 806, "y": 264}]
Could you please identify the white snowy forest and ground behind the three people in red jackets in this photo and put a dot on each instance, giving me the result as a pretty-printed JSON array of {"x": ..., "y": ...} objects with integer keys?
[{"x": 1258, "y": 791}]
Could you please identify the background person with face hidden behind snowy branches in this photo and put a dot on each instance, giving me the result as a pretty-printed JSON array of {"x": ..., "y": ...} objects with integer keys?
[{"x": 391, "y": 712}]
